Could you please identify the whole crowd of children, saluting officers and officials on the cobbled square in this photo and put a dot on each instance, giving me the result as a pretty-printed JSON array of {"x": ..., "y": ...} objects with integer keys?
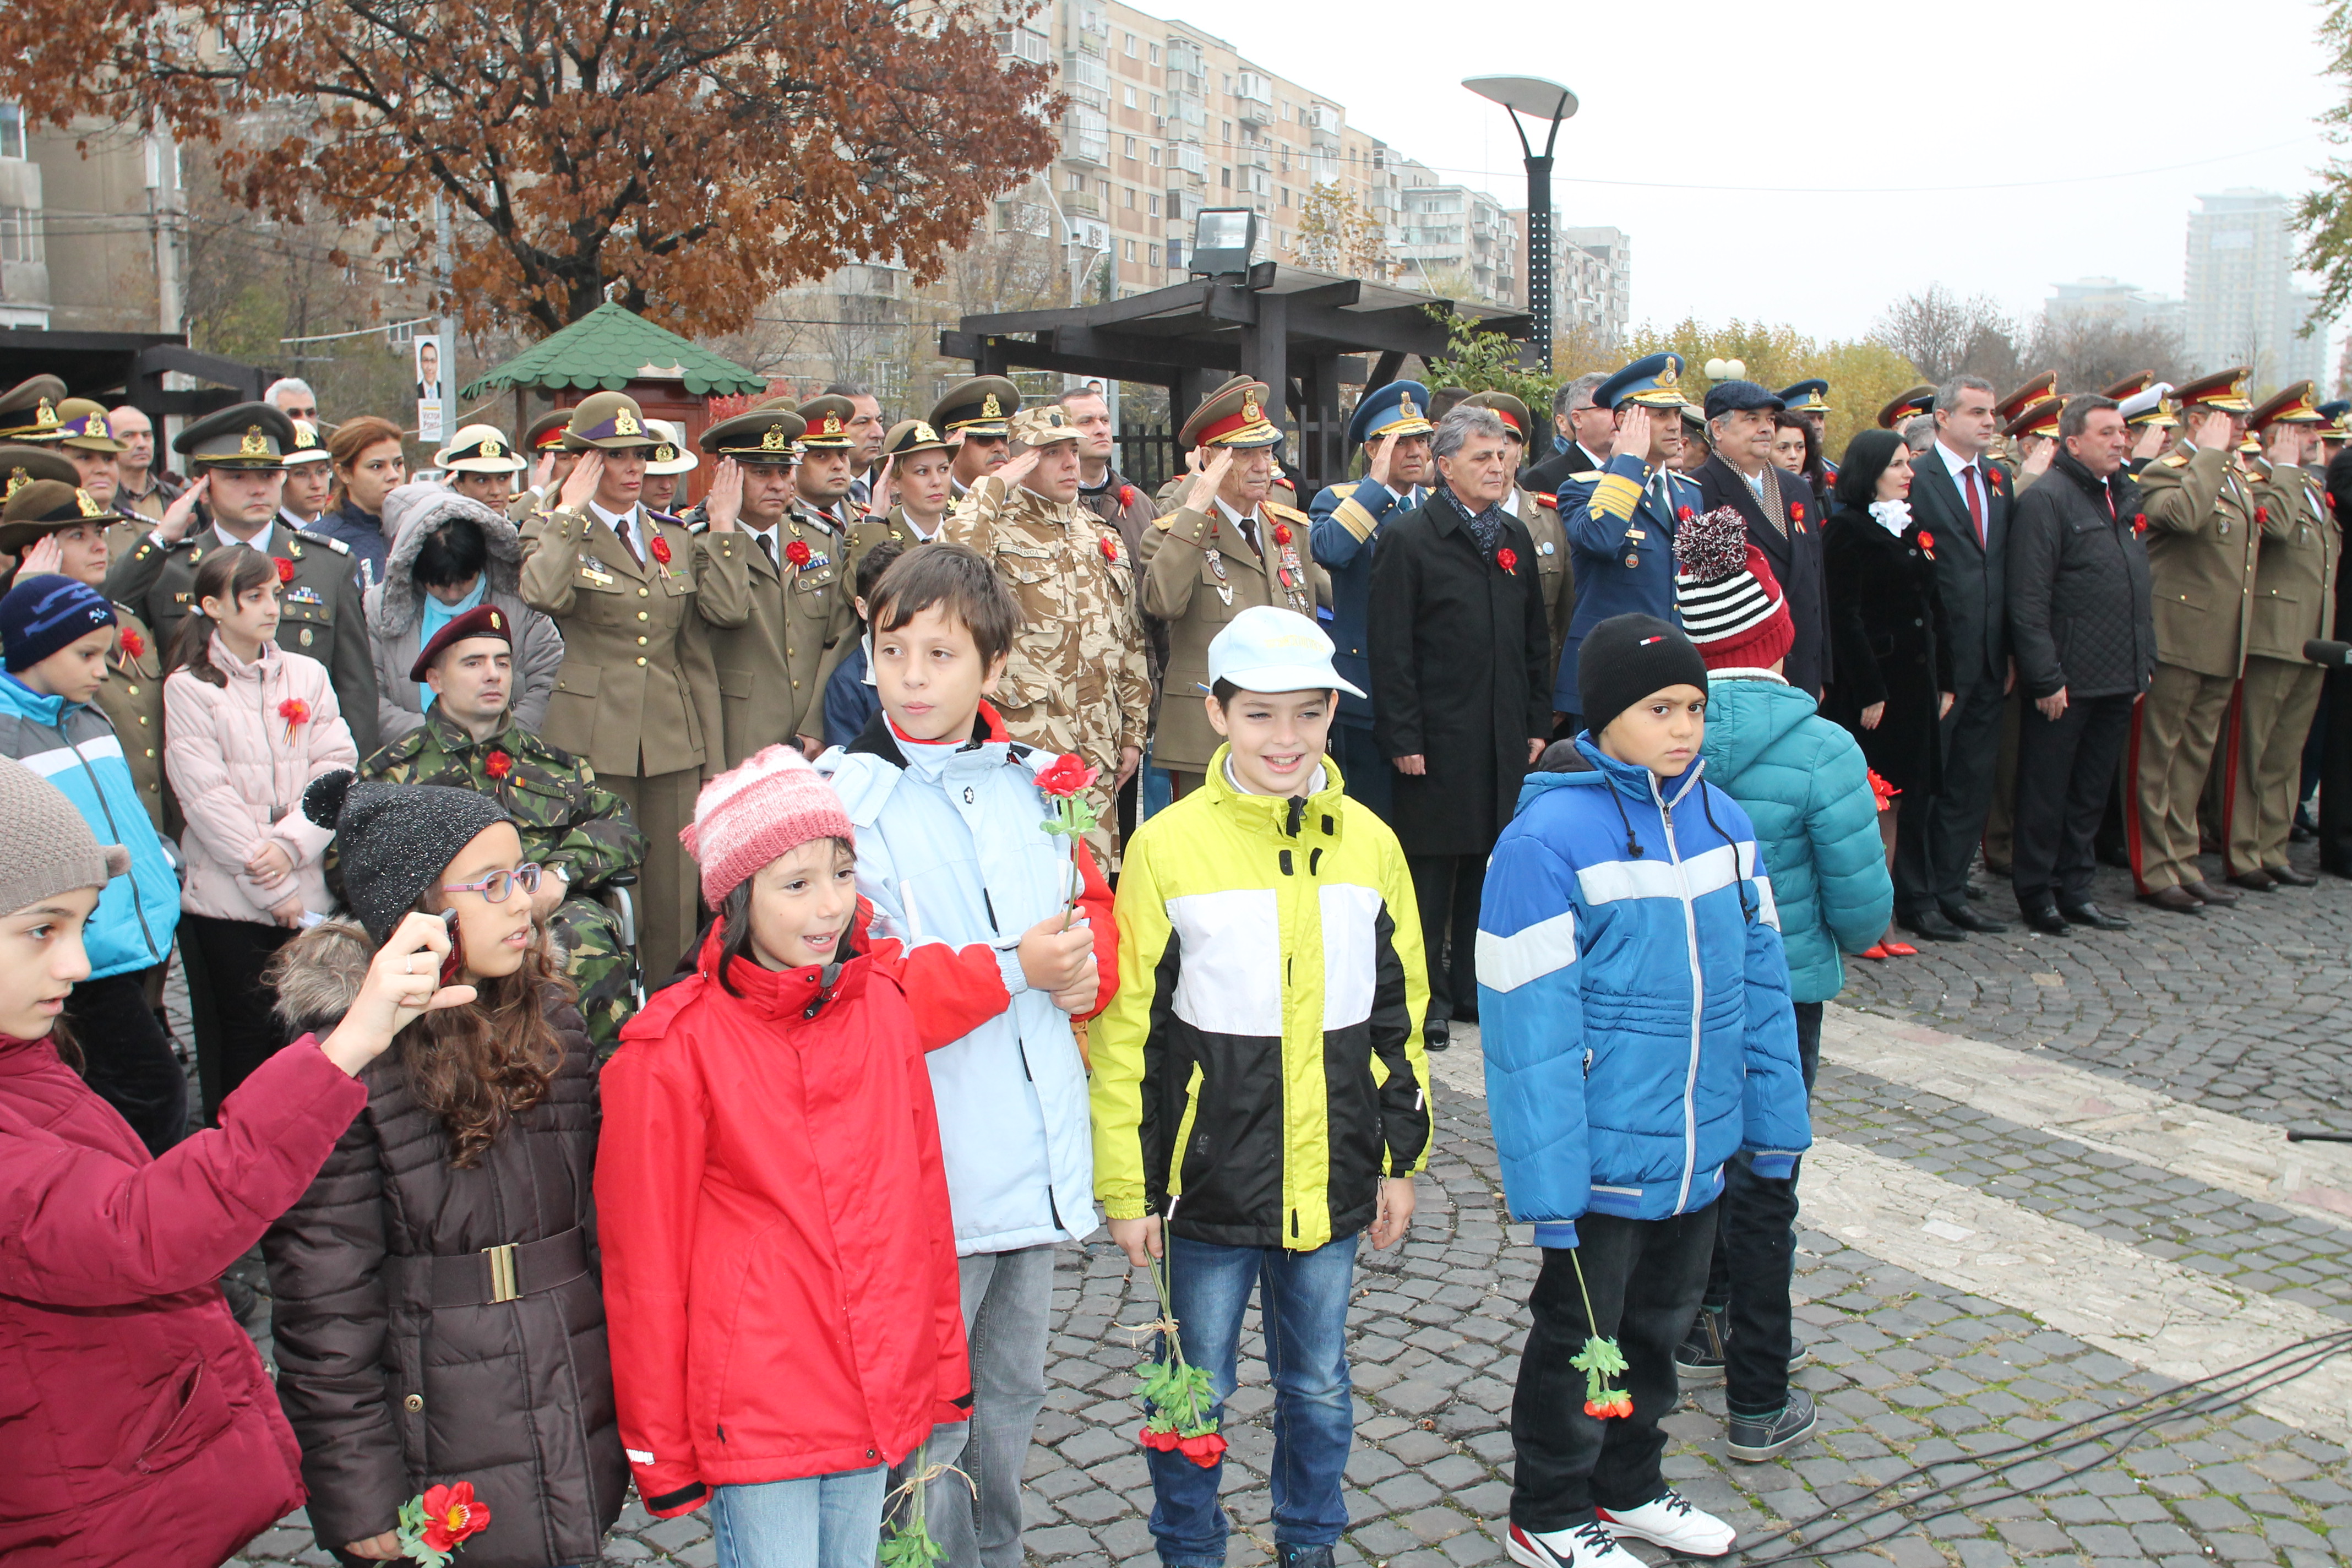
[{"x": 667, "y": 981}]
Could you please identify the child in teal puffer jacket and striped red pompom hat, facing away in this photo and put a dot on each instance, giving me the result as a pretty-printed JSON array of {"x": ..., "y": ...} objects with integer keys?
[{"x": 1808, "y": 791}]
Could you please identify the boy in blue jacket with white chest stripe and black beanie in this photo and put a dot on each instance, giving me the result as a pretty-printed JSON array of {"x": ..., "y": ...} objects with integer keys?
[{"x": 1638, "y": 1036}]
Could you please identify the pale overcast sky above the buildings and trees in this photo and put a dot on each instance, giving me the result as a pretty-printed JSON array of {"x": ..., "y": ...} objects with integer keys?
[{"x": 1840, "y": 98}]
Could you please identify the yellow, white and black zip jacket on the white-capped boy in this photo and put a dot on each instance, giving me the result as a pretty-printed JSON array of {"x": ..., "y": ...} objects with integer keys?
[{"x": 1262, "y": 1066}]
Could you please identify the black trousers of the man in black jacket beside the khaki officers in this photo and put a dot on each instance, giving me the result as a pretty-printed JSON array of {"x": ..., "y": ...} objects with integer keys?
[{"x": 2066, "y": 770}]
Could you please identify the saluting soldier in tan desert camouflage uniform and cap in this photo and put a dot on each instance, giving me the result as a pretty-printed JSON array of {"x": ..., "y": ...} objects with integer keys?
[{"x": 1076, "y": 681}]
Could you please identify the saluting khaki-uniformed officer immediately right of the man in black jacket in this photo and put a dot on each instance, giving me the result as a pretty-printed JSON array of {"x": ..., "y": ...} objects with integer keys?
[{"x": 2203, "y": 544}]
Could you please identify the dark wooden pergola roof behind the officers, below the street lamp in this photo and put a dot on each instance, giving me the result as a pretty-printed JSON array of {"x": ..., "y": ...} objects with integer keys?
[{"x": 1304, "y": 335}]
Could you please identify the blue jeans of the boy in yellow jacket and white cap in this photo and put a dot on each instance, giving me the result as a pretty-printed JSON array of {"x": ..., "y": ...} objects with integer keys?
[{"x": 1304, "y": 1306}]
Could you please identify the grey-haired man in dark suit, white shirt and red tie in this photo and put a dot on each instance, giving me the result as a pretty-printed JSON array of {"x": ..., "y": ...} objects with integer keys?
[{"x": 1965, "y": 504}]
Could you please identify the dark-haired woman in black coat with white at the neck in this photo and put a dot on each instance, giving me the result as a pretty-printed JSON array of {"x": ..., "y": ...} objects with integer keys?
[{"x": 1887, "y": 636}]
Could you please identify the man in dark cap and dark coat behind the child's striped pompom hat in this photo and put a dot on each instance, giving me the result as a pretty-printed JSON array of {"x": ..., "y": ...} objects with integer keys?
[{"x": 1782, "y": 518}]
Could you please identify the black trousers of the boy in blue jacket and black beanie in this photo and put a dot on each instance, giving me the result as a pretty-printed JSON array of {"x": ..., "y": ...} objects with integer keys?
[{"x": 1645, "y": 1280}]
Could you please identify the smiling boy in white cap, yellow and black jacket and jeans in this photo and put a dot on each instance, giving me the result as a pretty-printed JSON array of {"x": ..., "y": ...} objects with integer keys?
[{"x": 1259, "y": 1087}]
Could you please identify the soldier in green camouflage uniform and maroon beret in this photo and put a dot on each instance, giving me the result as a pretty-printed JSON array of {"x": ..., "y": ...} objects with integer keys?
[{"x": 577, "y": 831}]
